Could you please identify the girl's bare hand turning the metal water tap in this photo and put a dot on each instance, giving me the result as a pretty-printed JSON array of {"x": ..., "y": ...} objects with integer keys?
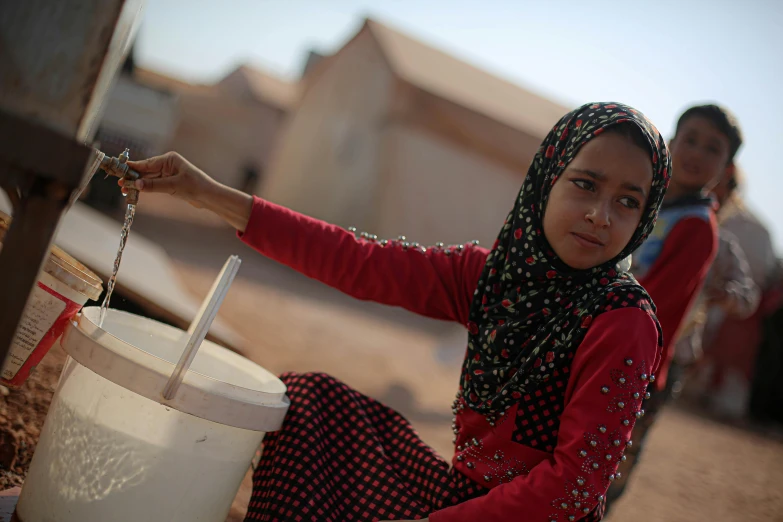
[{"x": 173, "y": 174}]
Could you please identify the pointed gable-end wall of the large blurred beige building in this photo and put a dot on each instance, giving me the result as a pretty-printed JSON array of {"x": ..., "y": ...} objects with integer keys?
[{"x": 327, "y": 161}]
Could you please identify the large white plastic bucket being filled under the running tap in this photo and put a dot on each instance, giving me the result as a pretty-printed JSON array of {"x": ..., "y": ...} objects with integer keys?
[{"x": 113, "y": 449}]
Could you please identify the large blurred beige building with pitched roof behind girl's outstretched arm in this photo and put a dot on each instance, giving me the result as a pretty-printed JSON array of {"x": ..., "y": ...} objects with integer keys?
[{"x": 395, "y": 137}]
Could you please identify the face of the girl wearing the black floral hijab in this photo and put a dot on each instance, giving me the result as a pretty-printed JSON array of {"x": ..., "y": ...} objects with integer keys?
[{"x": 595, "y": 206}]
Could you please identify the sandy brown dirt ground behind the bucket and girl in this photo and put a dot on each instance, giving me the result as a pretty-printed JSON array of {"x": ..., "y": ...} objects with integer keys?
[{"x": 694, "y": 468}]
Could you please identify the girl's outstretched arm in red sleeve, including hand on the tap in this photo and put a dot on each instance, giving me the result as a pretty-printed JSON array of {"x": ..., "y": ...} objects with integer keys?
[{"x": 437, "y": 282}]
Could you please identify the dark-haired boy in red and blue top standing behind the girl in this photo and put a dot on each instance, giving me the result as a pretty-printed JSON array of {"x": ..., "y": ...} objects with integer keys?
[{"x": 673, "y": 263}]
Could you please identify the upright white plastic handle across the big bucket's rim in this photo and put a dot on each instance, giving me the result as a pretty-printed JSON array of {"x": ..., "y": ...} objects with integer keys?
[{"x": 200, "y": 325}]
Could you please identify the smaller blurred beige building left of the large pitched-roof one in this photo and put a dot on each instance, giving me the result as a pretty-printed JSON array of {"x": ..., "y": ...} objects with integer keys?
[{"x": 228, "y": 128}]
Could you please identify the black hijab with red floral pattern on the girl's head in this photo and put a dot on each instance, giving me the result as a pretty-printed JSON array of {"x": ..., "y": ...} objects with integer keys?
[{"x": 531, "y": 310}]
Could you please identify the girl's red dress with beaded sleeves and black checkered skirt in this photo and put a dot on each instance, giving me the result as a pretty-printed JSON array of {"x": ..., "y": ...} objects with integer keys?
[{"x": 343, "y": 456}]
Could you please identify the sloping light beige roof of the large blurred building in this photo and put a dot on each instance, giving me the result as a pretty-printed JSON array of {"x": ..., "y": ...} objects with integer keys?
[{"x": 446, "y": 76}]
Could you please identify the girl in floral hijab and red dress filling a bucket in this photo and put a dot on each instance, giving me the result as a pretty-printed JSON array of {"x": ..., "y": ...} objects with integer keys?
[{"x": 561, "y": 344}]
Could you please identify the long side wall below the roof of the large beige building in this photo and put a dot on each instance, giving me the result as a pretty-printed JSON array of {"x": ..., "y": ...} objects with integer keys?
[{"x": 434, "y": 190}]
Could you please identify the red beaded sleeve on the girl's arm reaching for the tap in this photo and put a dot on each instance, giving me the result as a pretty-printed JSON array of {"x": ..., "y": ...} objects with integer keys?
[{"x": 435, "y": 282}]
